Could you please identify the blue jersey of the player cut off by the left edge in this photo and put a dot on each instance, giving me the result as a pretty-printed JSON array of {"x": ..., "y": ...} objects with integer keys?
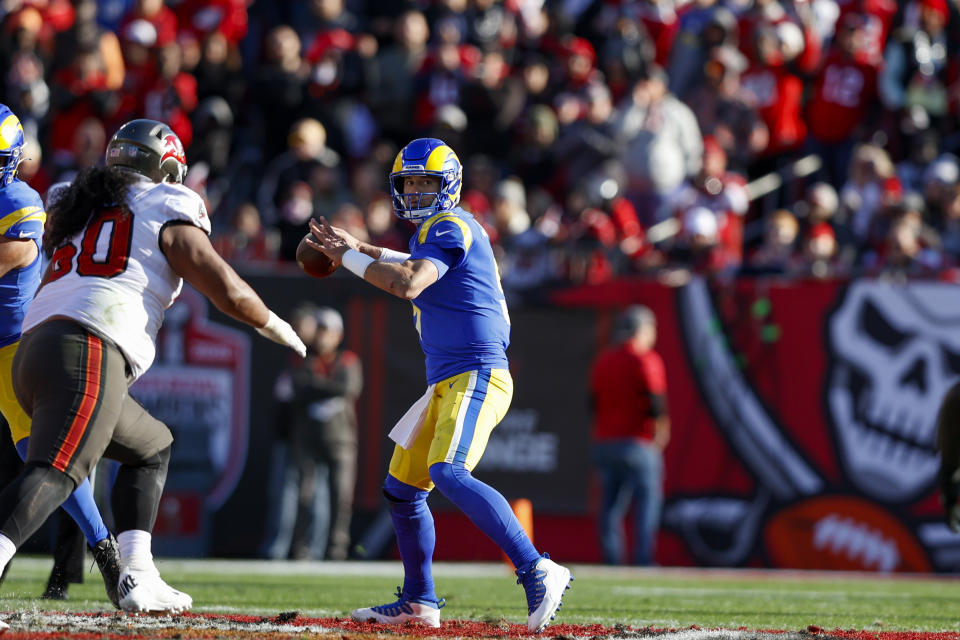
[{"x": 21, "y": 216}]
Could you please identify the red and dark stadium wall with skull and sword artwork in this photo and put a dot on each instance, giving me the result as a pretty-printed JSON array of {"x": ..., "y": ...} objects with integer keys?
[{"x": 803, "y": 421}]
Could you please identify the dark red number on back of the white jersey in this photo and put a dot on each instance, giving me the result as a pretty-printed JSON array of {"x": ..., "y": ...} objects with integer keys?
[{"x": 104, "y": 248}]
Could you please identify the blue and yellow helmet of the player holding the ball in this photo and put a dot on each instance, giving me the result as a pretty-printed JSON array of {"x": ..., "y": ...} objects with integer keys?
[{"x": 426, "y": 156}]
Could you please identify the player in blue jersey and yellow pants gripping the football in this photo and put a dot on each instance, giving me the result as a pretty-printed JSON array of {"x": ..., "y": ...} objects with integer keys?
[{"x": 459, "y": 310}]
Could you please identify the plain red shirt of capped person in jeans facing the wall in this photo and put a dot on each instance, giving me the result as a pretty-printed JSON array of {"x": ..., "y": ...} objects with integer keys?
[{"x": 628, "y": 385}]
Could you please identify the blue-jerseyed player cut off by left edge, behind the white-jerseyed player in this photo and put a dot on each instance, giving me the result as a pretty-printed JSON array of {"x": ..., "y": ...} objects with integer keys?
[{"x": 22, "y": 216}]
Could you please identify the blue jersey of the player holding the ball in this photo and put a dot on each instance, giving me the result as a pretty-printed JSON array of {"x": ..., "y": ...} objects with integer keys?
[{"x": 461, "y": 318}]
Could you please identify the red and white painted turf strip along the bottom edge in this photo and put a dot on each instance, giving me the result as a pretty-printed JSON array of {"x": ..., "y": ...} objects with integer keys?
[{"x": 37, "y": 625}]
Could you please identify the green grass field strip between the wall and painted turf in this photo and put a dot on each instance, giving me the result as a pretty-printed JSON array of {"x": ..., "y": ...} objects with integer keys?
[{"x": 660, "y": 598}]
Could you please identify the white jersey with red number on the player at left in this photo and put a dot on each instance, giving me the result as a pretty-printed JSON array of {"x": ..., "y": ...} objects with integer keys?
[{"x": 113, "y": 277}]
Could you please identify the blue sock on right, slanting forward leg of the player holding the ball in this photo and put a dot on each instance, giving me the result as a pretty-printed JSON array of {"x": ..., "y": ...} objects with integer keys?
[{"x": 487, "y": 509}]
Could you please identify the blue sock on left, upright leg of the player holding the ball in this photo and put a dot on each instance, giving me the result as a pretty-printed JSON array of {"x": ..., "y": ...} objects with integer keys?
[{"x": 416, "y": 537}]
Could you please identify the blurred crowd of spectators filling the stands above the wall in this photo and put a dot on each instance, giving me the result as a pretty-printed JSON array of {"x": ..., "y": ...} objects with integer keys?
[{"x": 793, "y": 137}]
